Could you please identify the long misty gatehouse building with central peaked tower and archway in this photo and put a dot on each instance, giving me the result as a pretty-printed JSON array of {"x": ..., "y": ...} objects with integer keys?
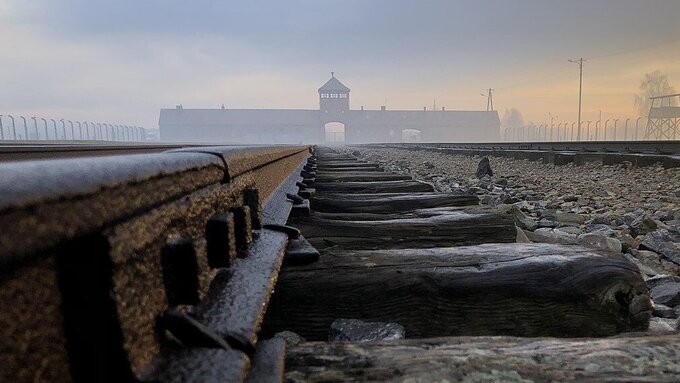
[{"x": 334, "y": 121}]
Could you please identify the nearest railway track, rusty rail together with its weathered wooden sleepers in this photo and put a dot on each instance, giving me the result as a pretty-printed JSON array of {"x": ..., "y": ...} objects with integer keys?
[{"x": 184, "y": 265}]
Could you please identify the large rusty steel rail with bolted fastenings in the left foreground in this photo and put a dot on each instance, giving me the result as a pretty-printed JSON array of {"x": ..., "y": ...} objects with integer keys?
[{"x": 148, "y": 267}]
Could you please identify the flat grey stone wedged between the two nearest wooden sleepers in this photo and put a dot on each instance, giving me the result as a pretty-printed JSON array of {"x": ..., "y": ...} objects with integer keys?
[{"x": 355, "y": 330}]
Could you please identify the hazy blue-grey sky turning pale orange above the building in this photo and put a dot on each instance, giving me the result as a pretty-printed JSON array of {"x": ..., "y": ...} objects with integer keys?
[{"x": 121, "y": 61}]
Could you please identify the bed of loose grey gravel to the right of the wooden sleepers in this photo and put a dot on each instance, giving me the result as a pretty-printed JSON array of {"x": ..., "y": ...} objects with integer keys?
[{"x": 633, "y": 210}]
